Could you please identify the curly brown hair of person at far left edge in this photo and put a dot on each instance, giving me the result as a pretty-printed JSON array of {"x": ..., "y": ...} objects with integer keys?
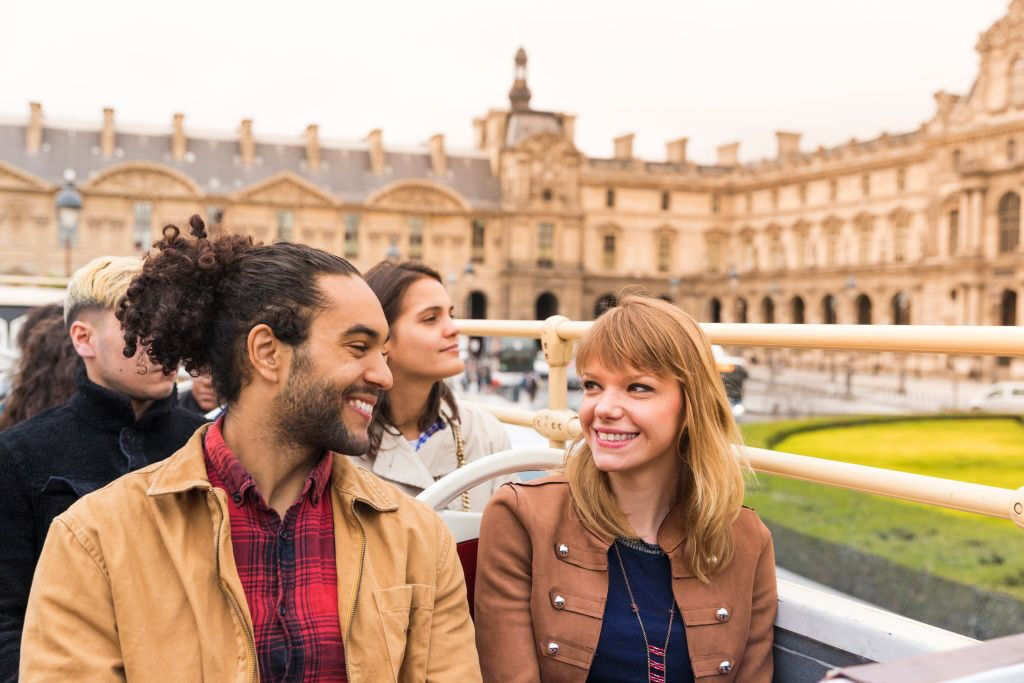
[{"x": 47, "y": 372}]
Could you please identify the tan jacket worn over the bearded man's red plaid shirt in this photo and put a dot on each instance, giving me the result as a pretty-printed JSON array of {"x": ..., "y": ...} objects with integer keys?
[{"x": 138, "y": 581}]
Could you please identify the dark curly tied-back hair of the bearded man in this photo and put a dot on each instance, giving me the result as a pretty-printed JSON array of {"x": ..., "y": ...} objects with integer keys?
[{"x": 197, "y": 300}]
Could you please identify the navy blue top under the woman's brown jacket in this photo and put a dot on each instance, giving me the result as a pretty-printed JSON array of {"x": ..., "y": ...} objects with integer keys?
[{"x": 621, "y": 654}]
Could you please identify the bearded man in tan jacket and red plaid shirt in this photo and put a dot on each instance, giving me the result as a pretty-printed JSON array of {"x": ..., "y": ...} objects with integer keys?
[{"x": 259, "y": 551}]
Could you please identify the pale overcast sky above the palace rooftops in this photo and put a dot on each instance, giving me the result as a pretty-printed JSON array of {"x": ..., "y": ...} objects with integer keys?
[{"x": 716, "y": 71}]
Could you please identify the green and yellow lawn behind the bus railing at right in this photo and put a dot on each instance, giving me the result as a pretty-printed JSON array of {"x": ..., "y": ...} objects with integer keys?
[{"x": 963, "y": 547}]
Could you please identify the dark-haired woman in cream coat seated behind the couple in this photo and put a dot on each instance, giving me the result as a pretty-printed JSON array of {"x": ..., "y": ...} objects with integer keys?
[{"x": 420, "y": 433}]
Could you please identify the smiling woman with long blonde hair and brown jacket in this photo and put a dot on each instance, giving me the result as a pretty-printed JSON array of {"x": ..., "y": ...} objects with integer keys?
[{"x": 637, "y": 562}]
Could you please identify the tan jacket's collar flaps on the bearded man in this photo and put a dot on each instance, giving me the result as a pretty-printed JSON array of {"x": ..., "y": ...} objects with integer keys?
[{"x": 186, "y": 471}]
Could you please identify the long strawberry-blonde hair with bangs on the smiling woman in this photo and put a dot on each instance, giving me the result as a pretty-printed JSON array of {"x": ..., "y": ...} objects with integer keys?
[{"x": 655, "y": 336}]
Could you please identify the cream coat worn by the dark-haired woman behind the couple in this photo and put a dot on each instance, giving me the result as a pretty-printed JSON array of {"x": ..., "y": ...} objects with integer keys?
[{"x": 412, "y": 472}]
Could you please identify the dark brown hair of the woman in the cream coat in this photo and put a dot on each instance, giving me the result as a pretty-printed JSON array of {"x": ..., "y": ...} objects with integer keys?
[{"x": 390, "y": 282}]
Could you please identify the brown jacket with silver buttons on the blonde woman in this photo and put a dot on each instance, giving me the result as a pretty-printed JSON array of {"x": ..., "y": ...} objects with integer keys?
[{"x": 543, "y": 579}]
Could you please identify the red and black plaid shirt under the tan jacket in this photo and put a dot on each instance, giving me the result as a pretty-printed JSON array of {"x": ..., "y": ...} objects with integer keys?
[{"x": 288, "y": 570}]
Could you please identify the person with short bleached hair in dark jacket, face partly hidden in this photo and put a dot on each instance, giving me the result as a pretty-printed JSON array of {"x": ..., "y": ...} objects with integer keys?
[{"x": 124, "y": 416}]
